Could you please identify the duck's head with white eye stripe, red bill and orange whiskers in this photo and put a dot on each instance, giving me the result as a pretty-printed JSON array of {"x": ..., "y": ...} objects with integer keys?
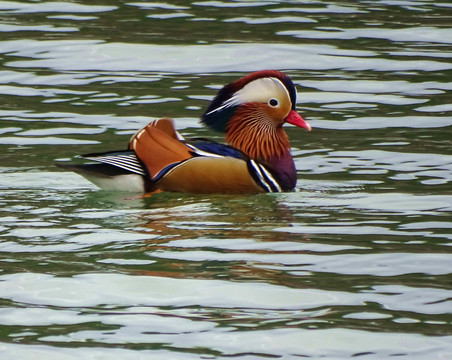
[{"x": 252, "y": 110}]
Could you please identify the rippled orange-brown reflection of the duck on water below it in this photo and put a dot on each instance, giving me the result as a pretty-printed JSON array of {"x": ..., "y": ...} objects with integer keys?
[{"x": 216, "y": 237}]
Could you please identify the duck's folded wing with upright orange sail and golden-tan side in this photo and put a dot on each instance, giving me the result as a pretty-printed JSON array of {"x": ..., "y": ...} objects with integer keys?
[{"x": 197, "y": 167}]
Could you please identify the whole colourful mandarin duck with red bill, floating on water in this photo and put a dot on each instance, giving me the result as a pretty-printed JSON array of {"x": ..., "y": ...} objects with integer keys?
[{"x": 257, "y": 158}]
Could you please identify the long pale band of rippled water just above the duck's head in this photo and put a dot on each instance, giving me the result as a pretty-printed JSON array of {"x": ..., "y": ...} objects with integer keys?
[{"x": 61, "y": 55}]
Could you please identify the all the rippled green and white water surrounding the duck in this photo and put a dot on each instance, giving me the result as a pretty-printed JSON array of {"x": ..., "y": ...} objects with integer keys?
[{"x": 355, "y": 263}]
